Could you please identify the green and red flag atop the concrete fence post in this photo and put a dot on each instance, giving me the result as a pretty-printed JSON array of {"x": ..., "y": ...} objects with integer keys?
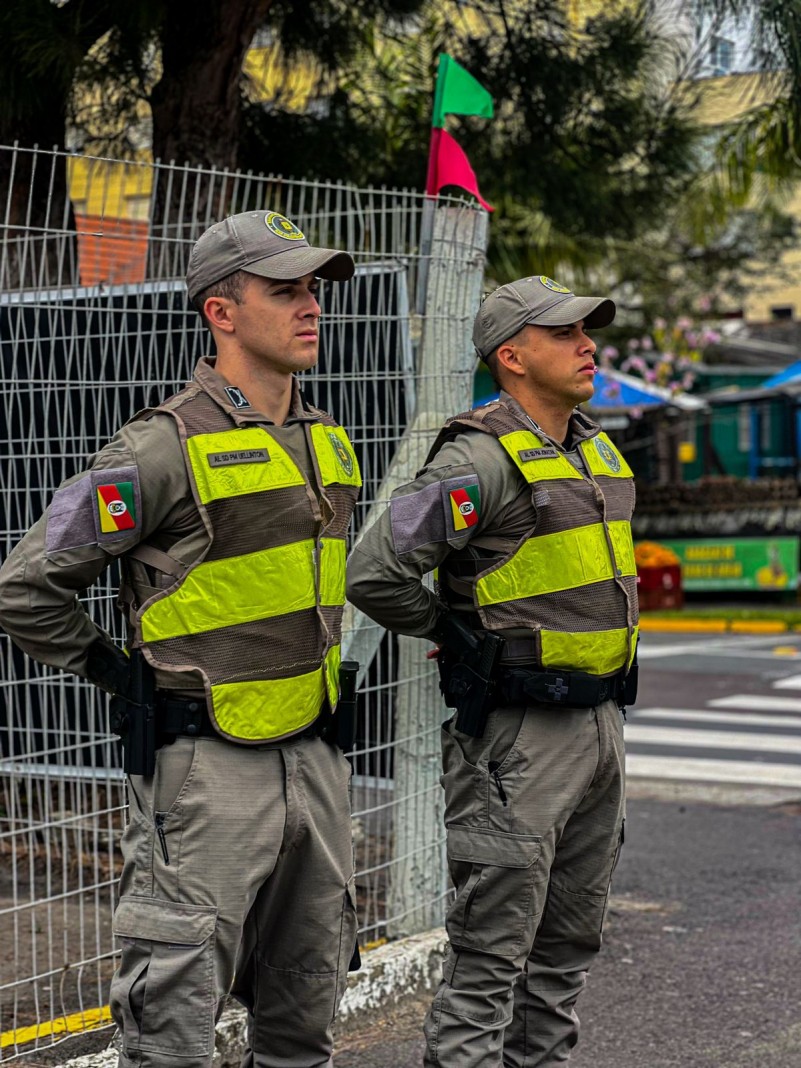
[{"x": 458, "y": 93}]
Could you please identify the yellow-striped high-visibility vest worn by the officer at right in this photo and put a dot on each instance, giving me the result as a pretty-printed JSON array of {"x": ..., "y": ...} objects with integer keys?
[{"x": 573, "y": 582}]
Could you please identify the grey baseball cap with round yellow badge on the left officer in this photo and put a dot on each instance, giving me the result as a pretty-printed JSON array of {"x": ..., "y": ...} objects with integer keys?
[{"x": 264, "y": 244}]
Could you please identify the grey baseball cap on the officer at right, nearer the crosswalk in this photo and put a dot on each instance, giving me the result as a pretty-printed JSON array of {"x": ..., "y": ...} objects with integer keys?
[{"x": 538, "y": 301}]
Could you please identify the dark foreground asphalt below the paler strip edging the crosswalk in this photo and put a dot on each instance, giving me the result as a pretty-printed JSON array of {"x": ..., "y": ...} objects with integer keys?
[{"x": 701, "y": 961}]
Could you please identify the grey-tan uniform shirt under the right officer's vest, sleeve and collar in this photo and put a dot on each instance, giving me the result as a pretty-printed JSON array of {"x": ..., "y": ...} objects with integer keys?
[{"x": 417, "y": 533}]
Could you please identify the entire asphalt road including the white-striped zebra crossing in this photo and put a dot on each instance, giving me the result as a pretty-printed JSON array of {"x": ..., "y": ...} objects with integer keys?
[{"x": 701, "y": 967}]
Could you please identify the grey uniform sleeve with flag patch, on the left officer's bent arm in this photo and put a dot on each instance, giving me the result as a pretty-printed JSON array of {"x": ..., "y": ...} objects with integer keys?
[{"x": 96, "y": 516}]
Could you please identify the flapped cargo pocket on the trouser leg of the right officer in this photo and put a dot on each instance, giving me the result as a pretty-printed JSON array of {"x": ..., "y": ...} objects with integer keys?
[{"x": 495, "y": 874}]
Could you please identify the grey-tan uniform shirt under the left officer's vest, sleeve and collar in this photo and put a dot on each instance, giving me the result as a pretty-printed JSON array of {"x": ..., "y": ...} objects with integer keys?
[{"x": 66, "y": 553}]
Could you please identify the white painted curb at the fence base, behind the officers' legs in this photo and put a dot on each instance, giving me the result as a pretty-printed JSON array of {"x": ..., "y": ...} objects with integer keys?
[{"x": 388, "y": 976}]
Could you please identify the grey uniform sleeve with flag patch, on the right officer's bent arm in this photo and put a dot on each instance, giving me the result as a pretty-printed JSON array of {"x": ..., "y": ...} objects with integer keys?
[{"x": 457, "y": 497}]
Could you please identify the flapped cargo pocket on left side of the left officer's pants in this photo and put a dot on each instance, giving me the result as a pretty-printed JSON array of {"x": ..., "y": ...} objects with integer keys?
[{"x": 163, "y": 996}]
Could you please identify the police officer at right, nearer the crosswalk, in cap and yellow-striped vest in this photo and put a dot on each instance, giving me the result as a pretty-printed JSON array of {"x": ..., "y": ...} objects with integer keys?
[{"x": 524, "y": 508}]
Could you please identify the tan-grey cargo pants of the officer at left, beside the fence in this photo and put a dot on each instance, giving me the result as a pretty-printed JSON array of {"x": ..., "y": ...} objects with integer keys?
[{"x": 238, "y": 879}]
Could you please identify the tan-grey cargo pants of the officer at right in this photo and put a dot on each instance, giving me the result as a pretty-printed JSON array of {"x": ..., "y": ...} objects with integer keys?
[{"x": 535, "y": 813}]
